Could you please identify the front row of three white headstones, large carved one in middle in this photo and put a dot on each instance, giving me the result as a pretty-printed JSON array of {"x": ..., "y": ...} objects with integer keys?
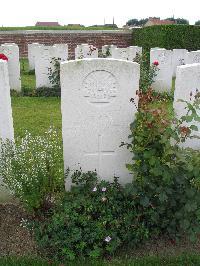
[{"x": 96, "y": 111}]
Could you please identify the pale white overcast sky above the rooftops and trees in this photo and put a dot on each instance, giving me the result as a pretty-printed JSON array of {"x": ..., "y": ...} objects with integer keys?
[{"x": 88, "y": 12}]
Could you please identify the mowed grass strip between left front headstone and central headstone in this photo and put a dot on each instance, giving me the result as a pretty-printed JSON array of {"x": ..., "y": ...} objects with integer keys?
[{"x": 36, "y": 115}]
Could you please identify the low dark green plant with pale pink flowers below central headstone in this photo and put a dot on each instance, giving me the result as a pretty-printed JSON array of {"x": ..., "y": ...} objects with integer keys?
[{"x": 93, "y": 219}]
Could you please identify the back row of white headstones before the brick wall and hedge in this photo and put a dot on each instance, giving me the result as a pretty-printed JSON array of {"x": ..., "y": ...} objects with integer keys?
[{"x": 40, "y": 59}]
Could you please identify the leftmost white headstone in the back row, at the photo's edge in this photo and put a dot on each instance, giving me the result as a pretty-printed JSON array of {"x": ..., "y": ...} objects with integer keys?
[{"x": 12, "y": 52}]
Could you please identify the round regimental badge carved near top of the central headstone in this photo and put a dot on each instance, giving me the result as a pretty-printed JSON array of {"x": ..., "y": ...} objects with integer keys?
[{"x": 100, "y": 87}]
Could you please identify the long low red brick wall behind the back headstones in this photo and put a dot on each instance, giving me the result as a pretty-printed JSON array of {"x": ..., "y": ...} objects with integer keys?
[{"x": 72, "y": 38}]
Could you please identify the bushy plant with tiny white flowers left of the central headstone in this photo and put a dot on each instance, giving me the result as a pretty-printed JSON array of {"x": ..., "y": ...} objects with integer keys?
[{"x": 32, "y": 169}]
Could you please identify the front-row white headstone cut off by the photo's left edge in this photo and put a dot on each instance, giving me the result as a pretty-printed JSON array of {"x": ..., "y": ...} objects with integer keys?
[{"x": 6, "y": 121}]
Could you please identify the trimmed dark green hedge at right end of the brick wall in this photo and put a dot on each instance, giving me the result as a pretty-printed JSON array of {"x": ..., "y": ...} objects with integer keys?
[{"x": 168, "y": 36}]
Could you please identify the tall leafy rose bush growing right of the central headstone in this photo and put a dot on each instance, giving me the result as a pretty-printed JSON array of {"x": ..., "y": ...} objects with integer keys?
[{"x": 166, "y": 177}]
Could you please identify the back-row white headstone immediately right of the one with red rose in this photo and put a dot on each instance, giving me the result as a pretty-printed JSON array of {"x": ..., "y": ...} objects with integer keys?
[{"x": 179, "y": 57}]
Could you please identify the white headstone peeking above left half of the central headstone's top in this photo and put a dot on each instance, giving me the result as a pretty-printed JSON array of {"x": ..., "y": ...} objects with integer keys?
[{"x": 86, "y": 51}]
